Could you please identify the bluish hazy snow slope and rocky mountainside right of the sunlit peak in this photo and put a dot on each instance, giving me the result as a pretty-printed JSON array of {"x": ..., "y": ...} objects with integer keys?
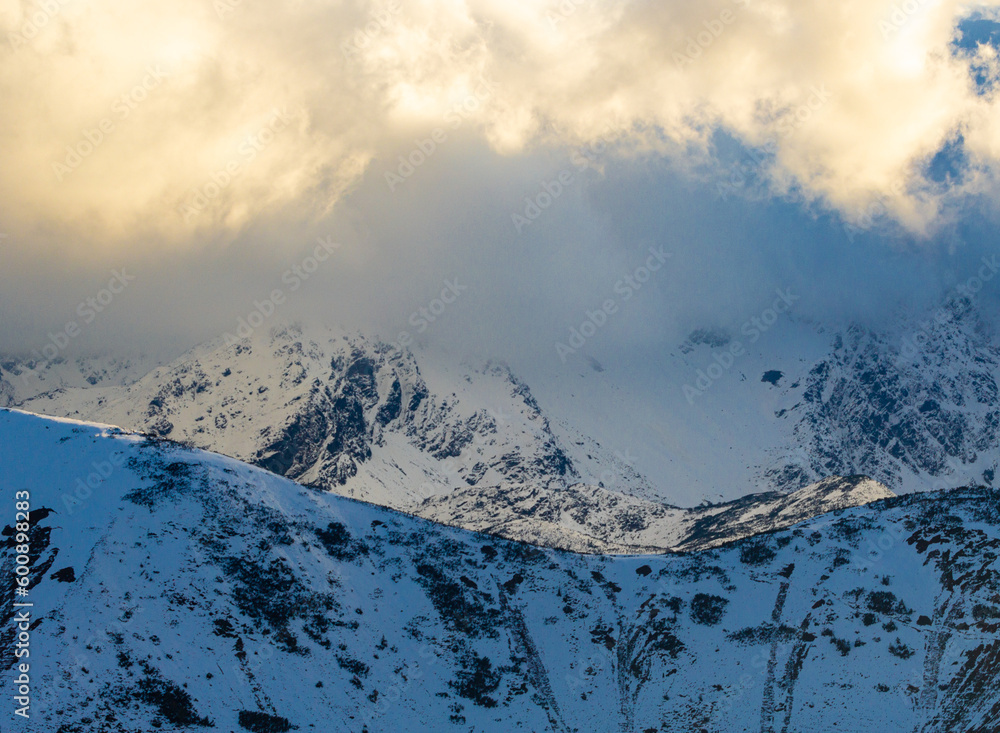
[{"x": 914, "y": 404}]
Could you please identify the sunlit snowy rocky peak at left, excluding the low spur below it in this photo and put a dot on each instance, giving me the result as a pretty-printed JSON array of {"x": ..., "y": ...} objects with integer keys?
[{"x": 317, "y": 406}]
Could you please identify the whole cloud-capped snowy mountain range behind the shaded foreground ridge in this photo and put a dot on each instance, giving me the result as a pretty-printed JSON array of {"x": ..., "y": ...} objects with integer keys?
[{"x": 914, "y": 405}]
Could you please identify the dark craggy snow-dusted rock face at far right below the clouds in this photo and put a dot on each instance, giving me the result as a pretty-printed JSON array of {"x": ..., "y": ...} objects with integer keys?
[{"x": 902, "y": 411}]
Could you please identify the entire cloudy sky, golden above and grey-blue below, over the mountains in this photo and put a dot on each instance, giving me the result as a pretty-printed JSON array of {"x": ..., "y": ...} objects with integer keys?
[{"x": 486, "y": 173}]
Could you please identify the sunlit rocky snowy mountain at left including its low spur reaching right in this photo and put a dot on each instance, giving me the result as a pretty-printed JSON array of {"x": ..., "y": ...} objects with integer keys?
[{"x": 459, "y": 444}]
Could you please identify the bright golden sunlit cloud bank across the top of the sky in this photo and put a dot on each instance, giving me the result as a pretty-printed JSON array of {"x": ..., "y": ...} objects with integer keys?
[{"x": 125, "y": 119}]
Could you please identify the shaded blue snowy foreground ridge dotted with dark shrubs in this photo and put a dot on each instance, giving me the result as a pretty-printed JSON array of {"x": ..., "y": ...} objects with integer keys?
[{"x": 173, "y": 589}]
